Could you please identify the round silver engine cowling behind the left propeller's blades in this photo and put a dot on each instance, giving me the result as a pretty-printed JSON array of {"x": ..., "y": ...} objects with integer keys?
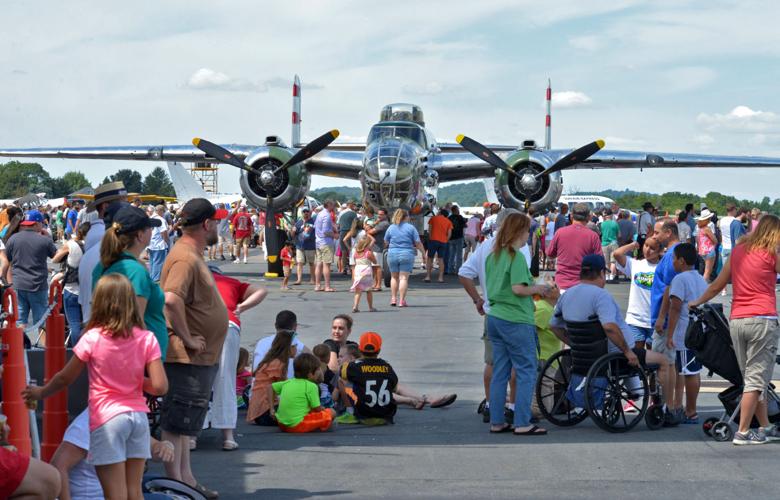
[{"x": 289, "y": 188}]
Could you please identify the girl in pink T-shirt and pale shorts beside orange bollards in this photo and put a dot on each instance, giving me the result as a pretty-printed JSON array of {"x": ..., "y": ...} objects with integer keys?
[{"x": 116, "y": 351}]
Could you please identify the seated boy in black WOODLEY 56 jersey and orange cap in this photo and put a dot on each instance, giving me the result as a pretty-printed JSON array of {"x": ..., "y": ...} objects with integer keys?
[{"x": 373, "y": 382}]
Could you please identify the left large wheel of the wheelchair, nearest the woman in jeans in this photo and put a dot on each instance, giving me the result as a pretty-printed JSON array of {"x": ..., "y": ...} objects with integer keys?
[{"x": 551, "y": 386}]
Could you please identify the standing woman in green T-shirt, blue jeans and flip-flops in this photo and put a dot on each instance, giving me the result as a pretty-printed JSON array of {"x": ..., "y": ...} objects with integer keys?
[{"x": 510, "y": 325}]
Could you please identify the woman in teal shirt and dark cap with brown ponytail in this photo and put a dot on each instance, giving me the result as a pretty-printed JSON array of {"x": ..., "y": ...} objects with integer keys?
[{"x": 120, "y": 251}]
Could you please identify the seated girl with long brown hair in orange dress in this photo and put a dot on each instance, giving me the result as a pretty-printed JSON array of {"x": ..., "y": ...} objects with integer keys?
[{"x": 272, "y": 368}]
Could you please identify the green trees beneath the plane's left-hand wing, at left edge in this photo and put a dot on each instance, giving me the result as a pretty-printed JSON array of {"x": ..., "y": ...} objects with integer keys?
[{"x": 19, "y": 178}]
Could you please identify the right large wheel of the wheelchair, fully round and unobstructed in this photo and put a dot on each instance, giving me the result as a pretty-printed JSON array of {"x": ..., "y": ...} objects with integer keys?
[{"x": 611, "y": 384}]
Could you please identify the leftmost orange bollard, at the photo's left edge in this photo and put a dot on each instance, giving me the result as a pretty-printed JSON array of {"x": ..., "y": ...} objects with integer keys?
[{"x": 14, "y": 377}]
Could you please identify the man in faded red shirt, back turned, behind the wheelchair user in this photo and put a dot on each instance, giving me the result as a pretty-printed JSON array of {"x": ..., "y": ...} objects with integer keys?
[{"x": 570, "y": 244}]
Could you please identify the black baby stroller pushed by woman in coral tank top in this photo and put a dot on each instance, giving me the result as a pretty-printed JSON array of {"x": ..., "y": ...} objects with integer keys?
[{"x": 708, "y": 336}]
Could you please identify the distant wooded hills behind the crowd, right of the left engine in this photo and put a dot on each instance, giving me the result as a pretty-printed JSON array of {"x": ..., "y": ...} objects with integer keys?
[{"x": 469, "y": 194}]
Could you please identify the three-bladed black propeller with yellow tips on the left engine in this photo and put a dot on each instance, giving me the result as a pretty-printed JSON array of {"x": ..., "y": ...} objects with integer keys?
[{"x": 267, "y": 178}]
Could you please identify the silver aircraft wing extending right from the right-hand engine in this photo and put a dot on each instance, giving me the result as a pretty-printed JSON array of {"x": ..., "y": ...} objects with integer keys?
[{"x": 642, "y": 159}]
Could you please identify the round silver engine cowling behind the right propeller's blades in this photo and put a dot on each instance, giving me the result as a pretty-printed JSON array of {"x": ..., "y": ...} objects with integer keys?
[{"x": 514, "y": 191}]
